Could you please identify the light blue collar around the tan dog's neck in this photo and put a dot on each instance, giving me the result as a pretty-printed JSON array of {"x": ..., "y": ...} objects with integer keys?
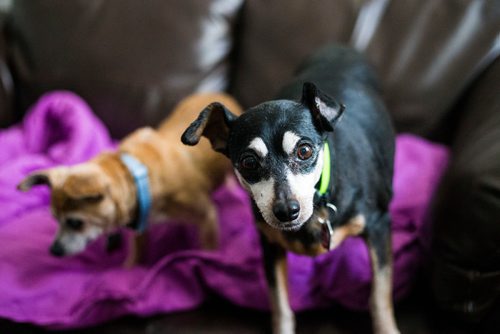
[{"x": 140, "y": 174}]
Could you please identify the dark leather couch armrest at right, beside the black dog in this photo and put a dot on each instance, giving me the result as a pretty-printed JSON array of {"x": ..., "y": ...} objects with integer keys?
[{"x": 466, "y": 272}]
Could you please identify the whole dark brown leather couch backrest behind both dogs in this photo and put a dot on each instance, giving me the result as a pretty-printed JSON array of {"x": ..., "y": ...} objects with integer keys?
[{"x": 133, "y": 60}]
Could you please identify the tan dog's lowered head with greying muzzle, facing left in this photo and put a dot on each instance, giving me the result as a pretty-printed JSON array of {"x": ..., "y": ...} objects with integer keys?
[{"x": 80, "y": 201}]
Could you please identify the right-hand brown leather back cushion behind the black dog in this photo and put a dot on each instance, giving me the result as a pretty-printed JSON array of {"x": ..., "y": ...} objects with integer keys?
[{"x": 426, "y": 52}]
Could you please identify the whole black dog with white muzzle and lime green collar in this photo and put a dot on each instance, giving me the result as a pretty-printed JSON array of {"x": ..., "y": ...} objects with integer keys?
[{"x": 312, "y": 186}]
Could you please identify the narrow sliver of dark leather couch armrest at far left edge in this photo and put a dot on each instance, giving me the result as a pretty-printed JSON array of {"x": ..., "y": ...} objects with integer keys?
[{"x": 6, "y": 83}]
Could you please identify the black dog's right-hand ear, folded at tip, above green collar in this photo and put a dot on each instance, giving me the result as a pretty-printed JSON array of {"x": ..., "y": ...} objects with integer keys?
[{"x": 325, "y": 110}]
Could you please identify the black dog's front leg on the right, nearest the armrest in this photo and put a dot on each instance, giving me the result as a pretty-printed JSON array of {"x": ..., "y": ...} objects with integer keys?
[{"x": 378, "y": 238}]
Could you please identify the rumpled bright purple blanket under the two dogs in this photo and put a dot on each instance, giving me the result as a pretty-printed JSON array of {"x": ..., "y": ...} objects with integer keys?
[{"x": 93, "y": 287}]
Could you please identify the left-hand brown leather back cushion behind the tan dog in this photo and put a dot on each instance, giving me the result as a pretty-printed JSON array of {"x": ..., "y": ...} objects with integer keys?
[{"x": 131, "y": 60}]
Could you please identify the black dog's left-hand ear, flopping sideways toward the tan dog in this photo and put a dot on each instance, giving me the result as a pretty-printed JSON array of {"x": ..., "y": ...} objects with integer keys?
[{"x": 214, "y": 123}]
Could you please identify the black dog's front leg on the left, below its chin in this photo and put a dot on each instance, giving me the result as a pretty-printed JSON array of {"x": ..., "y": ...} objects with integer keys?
[{"x": 275, "y": 266}]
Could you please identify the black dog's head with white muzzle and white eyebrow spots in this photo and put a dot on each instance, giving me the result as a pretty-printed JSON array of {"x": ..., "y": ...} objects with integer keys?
[{"x": 276, "y": 149}]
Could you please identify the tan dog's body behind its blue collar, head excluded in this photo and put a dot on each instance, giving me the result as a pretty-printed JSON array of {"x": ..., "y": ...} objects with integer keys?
[{"x": 183, "y": 176}]
